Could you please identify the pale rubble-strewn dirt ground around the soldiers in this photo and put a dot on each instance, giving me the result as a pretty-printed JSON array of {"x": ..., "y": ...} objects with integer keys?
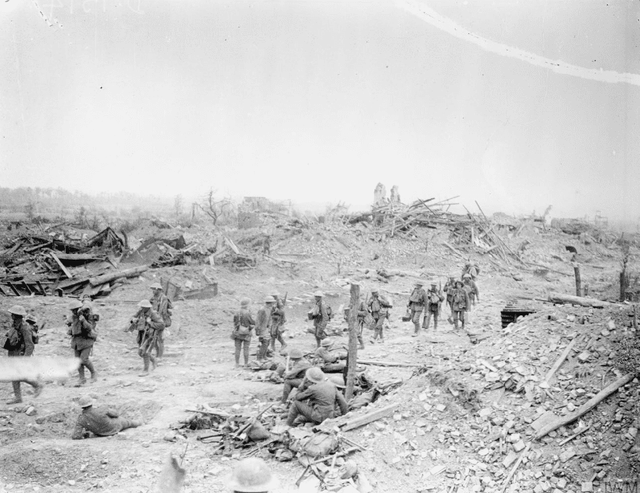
[{"x": 436, "y": 441}]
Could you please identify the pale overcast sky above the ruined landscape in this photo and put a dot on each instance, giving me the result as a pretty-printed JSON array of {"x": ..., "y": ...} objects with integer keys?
[{"x": 515, "y": 104}]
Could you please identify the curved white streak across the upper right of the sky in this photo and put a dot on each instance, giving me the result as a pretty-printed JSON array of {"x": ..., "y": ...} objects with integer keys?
[{"x": 432, "y": 17}]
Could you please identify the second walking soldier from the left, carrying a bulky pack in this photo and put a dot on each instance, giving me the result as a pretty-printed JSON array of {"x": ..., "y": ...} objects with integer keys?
[{"x": 83, "y": 336}]
